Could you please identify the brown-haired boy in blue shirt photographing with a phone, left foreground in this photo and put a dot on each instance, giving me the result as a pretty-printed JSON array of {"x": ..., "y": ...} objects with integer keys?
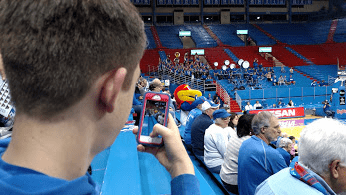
[{"x": 81, "y": 64}]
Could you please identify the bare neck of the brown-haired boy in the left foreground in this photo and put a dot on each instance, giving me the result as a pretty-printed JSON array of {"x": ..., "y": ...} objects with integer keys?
[{"x": 50, "y": 147}]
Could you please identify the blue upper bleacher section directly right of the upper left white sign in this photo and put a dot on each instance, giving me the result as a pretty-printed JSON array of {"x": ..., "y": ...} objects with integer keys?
[{"x": 200, "y": 36}]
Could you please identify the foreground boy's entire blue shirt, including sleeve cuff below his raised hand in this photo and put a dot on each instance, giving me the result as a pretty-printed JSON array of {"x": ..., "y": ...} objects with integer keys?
[{"x": 15, "y": 180}]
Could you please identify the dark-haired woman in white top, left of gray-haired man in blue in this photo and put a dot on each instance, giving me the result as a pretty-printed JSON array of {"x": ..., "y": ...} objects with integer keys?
[{"x": 229, "y": 169}]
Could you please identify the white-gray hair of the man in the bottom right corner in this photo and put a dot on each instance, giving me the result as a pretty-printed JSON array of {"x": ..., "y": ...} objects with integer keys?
[{"x": 321, "y": 142}]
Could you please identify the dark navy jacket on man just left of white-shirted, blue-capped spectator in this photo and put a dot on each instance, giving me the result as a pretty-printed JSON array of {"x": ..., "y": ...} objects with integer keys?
[{"x": 198, "y": 127}]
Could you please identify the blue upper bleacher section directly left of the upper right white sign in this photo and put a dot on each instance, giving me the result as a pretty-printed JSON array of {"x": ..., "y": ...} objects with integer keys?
[{"x": 227, "y": 33}]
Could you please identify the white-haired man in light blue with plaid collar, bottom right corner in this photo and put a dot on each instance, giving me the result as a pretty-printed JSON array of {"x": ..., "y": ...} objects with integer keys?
[{"x": 322, "y": 163}]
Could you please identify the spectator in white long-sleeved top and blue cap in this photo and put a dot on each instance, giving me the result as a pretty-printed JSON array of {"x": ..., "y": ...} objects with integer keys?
[{"x": 215, "y": 140}]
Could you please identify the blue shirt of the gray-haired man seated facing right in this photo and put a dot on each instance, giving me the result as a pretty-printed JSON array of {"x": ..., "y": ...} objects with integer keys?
[{"x": 256, "y": 162}]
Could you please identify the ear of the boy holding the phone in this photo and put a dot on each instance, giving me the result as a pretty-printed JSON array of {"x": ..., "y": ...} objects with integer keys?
[{"x": 111, "y": 87}]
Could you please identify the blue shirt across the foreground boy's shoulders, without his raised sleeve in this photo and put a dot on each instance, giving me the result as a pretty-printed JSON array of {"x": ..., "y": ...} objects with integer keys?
[{"x": 20, "y": 180}]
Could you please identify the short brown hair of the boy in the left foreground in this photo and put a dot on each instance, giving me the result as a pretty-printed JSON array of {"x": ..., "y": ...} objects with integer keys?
[{"x": 53, "y": 51}]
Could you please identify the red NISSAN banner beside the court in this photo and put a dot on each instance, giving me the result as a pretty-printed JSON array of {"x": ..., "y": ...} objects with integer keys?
[{"x": 283, "y": 112}]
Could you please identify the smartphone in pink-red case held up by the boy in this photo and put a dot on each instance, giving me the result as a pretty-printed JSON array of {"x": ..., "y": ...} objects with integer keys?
[{"x": 155, "y": 110}]
